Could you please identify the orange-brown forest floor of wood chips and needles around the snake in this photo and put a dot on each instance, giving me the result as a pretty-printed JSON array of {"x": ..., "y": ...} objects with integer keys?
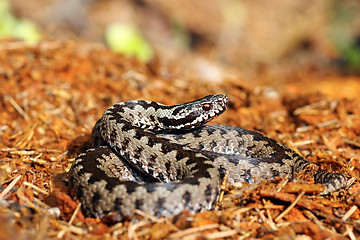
[{"x": 52, "y": 94}]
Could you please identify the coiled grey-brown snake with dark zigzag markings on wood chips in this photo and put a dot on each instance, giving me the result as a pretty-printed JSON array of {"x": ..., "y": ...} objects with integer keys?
[{"x": 163, "y": 159}]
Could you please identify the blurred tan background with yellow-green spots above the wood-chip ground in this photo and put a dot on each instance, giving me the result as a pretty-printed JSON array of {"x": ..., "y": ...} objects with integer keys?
[{"x": 213, "y": 38}]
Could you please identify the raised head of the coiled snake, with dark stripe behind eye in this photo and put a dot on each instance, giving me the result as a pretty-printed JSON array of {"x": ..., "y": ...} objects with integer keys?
[{"x": 196, "y": 113}]
